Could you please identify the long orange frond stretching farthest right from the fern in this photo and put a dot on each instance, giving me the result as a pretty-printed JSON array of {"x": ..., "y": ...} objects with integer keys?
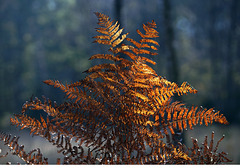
[{"x": 177, "y": 116}]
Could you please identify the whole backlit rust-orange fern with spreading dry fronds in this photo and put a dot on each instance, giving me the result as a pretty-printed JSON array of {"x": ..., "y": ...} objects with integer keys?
[{"x": 119, "y": 110}]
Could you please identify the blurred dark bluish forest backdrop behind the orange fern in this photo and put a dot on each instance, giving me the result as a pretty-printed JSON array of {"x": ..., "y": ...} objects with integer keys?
[{"x": 52, "y": 39}]
